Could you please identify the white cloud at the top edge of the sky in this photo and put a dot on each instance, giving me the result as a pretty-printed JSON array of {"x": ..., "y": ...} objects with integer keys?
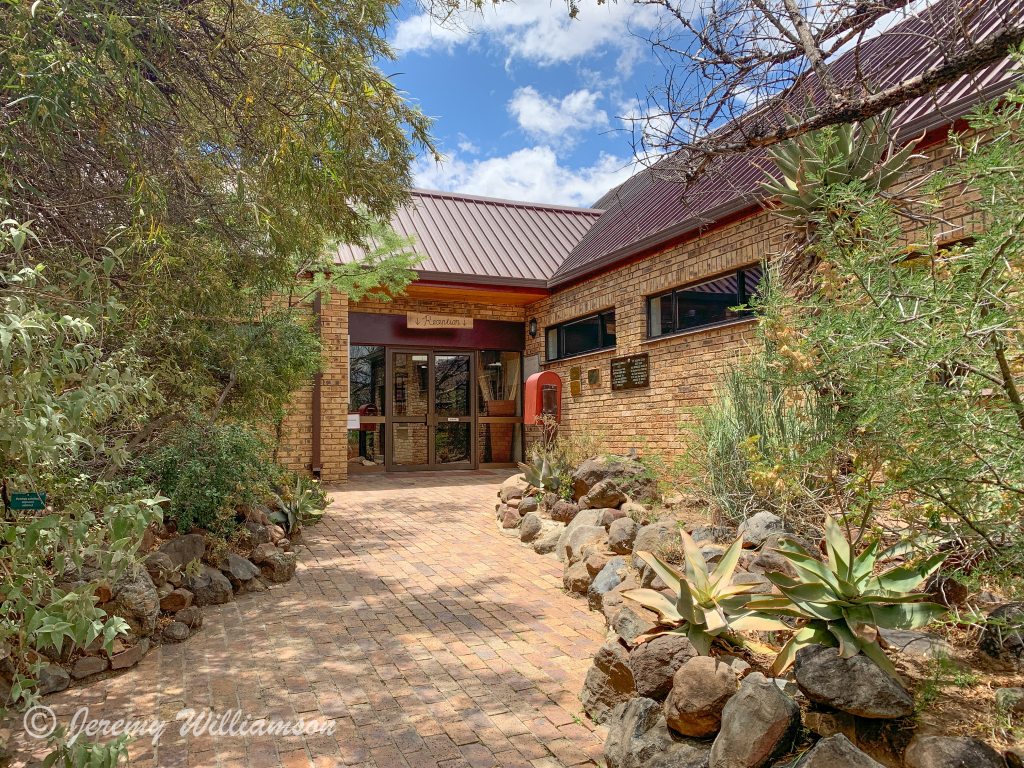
[{"x": 539, "y": 31}]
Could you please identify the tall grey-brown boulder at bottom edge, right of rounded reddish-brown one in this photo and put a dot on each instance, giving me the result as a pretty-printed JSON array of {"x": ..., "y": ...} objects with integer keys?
[{"x": 759, "y": 724}]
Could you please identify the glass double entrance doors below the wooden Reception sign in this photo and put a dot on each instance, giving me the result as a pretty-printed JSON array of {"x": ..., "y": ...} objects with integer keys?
[{"x": 434, "y": 411}]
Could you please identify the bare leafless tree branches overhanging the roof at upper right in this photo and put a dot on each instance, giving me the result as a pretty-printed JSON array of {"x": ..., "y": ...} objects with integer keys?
[{"x": 749, "y": 74}]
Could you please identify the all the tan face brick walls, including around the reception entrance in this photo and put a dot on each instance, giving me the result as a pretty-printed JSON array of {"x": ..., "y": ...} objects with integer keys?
[{"x": 684, "y": 369}]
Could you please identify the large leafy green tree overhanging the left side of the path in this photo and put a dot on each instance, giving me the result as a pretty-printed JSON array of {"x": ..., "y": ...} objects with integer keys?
[{"x": 188, "y": 167}]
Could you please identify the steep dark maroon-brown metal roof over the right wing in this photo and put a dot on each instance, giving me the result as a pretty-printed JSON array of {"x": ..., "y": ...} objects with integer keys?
[{"x": 647, "y": 211}]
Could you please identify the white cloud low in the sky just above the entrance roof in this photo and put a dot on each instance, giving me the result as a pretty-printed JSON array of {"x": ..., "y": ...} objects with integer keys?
[{"x": 533, "y": 175}]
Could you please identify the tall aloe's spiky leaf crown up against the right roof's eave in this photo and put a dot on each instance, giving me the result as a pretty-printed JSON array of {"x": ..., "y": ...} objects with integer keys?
[{"x": 815, "y": 162}]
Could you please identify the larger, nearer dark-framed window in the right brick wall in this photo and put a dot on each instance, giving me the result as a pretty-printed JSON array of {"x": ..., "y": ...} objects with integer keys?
[{"x": 705, "y": 305}]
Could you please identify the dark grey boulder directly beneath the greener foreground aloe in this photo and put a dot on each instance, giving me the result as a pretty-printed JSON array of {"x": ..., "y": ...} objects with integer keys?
[{"x": 857, "y": 686}]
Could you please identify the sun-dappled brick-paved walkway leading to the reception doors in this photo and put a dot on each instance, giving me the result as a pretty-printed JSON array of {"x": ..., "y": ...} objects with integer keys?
[{"x": 430, "y": 638}]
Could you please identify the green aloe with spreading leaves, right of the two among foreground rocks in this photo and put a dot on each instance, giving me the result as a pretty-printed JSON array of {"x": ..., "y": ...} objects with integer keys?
[{"x": 843, "y": 603}]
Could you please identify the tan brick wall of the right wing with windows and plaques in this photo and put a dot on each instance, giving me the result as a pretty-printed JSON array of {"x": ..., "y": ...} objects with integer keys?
[{"x": 685, "y": 369}]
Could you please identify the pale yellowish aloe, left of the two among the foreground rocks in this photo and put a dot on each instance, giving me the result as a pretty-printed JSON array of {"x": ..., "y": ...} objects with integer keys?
[{"x": 707, "y": 606}]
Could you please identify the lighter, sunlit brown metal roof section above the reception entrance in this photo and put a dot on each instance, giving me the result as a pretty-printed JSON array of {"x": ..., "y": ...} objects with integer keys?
[{"x": 487, "y": 240}]
